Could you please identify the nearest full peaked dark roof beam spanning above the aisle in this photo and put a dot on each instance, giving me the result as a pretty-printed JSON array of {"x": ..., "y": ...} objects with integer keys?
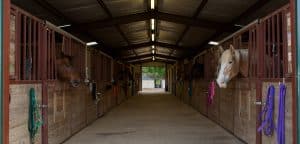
[{"x": 153, "y": 14}]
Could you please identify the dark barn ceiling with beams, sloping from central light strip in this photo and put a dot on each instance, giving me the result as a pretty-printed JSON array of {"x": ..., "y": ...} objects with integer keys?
[{"x": 122, "y": 27}]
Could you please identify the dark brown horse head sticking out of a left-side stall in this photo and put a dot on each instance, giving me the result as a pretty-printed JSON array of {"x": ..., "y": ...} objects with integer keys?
[{"x": 65, "y": 70}]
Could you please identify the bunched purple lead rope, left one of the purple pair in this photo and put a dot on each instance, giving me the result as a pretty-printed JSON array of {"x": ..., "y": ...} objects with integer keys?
[{"x": 268, "y": 113}]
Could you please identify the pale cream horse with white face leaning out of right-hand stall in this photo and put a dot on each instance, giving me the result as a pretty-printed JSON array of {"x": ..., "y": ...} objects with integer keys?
[{"x": 231, "y": 63}]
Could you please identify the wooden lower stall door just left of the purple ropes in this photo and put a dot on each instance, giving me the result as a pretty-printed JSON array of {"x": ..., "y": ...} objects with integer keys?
[{"x": 245, "y": 110}]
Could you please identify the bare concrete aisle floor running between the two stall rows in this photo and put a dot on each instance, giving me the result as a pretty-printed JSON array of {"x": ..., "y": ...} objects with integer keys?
[{"x": 153, "y": 119}]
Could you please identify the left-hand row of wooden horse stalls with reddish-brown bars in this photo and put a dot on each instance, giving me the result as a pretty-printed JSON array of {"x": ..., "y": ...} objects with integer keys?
[{"x": 69, "y": 83}]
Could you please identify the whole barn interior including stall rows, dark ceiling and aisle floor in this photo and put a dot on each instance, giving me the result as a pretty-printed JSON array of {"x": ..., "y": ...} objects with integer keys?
[{"x": 125, "y": 35}]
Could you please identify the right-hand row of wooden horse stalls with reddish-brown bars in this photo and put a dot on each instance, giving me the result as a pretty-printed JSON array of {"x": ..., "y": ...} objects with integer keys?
[{"x": 237, "y": 106}]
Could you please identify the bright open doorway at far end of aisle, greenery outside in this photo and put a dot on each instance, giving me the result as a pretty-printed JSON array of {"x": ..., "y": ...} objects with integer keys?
[{"x": 153, "y": 78}]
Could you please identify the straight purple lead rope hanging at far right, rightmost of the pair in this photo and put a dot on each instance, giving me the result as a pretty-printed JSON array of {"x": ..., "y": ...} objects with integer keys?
[{"x": 281, "y": 118}]
